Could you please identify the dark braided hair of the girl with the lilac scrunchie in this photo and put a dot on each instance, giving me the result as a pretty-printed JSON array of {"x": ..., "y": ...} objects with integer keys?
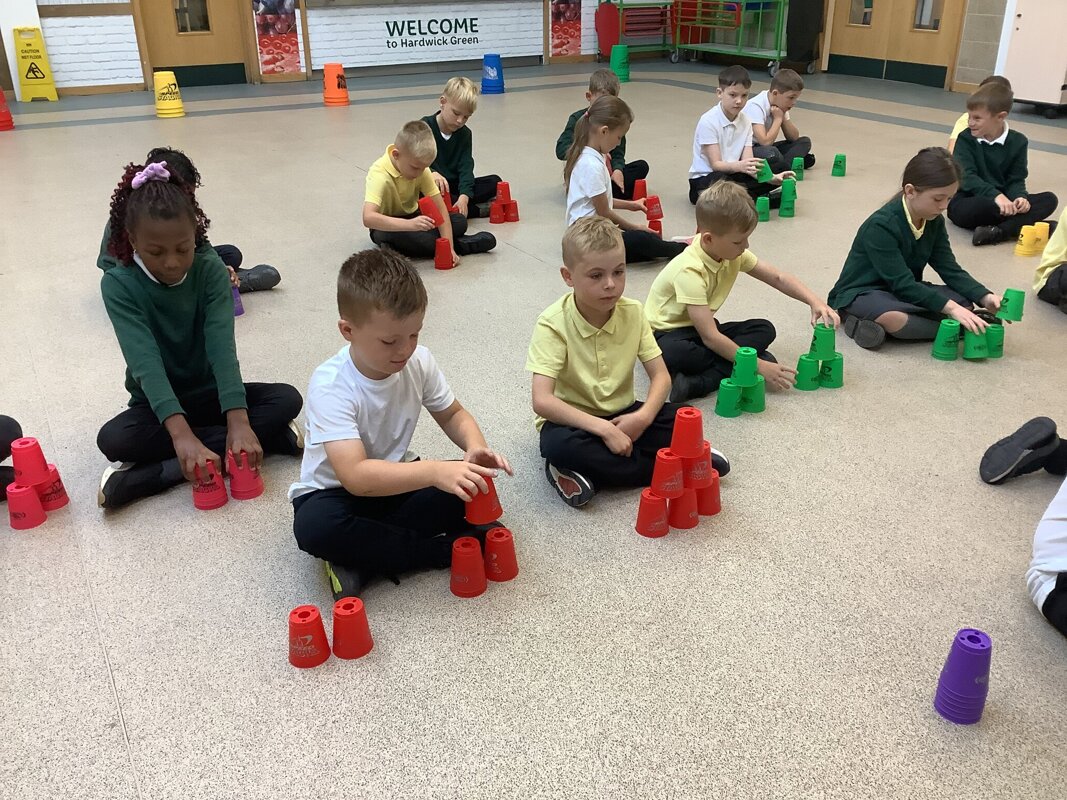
[{"x": 157, "y": 200}]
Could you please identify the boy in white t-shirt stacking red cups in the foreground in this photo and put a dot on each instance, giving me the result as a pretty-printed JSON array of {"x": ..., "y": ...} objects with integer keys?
[{"x": 362, "y": 503}]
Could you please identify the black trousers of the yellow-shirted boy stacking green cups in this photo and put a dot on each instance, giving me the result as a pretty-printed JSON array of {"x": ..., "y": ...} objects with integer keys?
[{"x": 686, "y": 353}]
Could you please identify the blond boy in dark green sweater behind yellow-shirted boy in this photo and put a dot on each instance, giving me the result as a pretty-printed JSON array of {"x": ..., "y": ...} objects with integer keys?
[{"x": 453, "y": 170}]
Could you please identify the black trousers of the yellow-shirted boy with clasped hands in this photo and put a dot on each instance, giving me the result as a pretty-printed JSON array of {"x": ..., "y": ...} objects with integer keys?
[{"x": 574, "y": 449}]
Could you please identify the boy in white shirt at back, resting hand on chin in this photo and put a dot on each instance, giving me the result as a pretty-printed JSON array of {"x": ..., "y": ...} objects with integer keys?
[{"x": 775, "y": 136}]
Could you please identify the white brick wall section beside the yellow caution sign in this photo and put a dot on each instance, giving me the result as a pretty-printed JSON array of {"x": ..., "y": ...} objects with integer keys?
[{"x": 92, "y": 52}]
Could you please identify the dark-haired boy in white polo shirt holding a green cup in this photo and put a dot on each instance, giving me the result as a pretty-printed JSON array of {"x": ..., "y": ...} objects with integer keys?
[{"x": 723, "y": 142}]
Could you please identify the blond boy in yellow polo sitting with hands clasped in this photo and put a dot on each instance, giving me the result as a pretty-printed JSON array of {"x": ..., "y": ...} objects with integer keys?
[{"x": 594, "y": 431}]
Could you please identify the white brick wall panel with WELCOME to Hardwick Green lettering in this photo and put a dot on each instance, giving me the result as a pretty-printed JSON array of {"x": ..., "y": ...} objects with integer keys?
[{"x": 360, "y": 37}]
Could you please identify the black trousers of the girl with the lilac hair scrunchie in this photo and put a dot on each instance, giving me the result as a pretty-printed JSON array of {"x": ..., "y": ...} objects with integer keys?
[{"x": 137, "y": 436}]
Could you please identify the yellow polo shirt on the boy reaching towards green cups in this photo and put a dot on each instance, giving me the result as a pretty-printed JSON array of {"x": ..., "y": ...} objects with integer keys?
[{"x": 693, "y": 278}]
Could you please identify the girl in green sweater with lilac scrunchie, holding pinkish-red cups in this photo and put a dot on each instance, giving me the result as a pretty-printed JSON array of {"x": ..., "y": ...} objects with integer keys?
[{"x": 172, "y": 309}]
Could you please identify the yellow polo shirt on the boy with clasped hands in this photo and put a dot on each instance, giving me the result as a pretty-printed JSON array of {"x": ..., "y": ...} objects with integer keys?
[{"x": 594, "y": 367}]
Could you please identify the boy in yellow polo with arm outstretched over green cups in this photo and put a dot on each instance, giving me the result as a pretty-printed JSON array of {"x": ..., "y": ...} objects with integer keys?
[{"x": 699, "y": 350}]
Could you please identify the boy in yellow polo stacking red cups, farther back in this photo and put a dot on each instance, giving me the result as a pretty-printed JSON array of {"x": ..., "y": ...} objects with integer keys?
[{"x": 391, "y": 204}]
